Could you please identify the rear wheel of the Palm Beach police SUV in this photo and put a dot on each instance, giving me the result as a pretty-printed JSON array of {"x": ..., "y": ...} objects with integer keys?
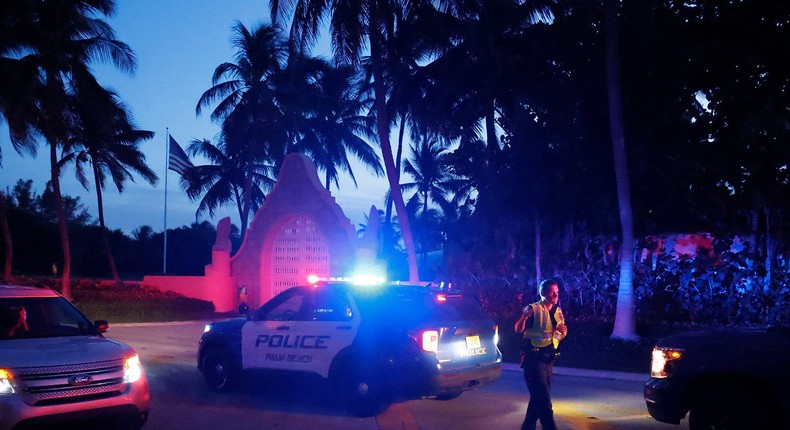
[{"x": 363, "y": 389}]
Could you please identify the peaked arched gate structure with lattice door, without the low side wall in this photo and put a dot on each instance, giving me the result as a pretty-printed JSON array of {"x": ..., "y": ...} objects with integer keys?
[{"x": 298, "y": 231}]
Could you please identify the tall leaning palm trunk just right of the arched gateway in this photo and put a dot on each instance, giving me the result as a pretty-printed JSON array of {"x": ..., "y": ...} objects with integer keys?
[{"x": 382, "y": 126}]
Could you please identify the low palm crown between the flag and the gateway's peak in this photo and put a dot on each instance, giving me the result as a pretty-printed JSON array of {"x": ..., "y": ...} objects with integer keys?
[{"x": 224, "y": 180}]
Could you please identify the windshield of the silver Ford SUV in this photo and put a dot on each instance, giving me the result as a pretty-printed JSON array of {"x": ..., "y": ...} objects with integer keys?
[{"x": 22, "y": 318}]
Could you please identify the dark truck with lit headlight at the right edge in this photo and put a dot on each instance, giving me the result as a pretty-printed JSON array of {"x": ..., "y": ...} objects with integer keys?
[{"x": 735, "y": 378}]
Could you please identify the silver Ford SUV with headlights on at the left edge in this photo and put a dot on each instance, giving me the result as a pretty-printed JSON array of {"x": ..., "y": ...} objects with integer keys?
[{"x": 55, "y": 366}]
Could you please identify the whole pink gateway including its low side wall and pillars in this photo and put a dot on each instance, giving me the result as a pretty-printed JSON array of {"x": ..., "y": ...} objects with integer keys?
[{"x": 299, "y": 230}]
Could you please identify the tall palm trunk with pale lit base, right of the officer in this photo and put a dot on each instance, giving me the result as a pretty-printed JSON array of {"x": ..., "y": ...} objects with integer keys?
[{"x": 624, "y": 327}]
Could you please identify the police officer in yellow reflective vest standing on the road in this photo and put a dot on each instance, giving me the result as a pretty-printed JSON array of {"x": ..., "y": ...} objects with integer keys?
[{"x": 543, "y": 327}]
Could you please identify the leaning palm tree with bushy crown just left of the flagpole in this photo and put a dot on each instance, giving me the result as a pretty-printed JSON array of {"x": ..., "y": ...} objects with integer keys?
[{"x": 104, "y": 136}]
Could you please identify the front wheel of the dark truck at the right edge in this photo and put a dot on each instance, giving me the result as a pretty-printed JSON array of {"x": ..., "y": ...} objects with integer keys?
[{"x": 725, "y": 409}]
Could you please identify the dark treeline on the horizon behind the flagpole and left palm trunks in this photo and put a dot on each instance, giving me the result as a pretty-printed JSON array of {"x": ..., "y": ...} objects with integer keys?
[{"x": 36, "y": 250}]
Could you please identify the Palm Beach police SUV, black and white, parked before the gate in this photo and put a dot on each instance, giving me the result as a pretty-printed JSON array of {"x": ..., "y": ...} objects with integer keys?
[{"x": 373, "y": 342}]
